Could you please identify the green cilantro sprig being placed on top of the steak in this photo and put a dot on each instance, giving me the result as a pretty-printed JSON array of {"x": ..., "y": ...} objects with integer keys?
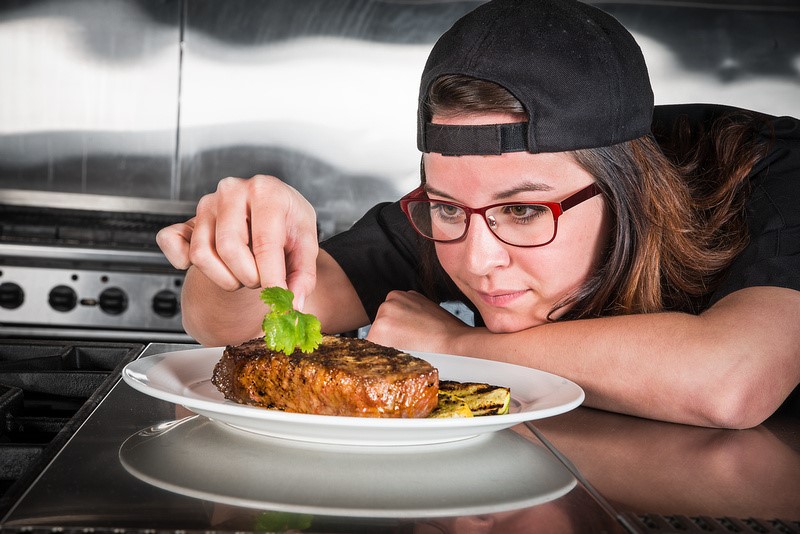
[{"x": 285, "y": 328}]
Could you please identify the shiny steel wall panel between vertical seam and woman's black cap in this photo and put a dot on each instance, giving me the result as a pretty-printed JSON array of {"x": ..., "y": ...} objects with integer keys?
[{"x": 321, "y": 93}]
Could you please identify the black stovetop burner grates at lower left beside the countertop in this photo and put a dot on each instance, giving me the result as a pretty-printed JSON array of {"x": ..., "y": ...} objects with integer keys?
[{"x": 47, "y": 390}]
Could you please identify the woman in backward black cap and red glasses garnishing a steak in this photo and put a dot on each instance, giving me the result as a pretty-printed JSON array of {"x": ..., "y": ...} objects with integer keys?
[{"x": 662, "y": 276}]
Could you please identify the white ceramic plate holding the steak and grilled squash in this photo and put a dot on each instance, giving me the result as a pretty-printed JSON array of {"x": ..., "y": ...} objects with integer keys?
[{"x": 185, "y": 378}]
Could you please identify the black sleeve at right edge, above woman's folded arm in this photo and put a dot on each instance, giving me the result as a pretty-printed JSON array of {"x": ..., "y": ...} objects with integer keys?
[{"x": 772, "y": 257}]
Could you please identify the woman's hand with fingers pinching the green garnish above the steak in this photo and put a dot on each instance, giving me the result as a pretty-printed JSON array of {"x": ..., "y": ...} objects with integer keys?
[{"x": 249, "y": 233}]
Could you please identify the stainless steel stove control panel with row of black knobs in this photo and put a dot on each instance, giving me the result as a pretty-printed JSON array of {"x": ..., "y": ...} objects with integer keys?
[{"x": 91, "y": 293}]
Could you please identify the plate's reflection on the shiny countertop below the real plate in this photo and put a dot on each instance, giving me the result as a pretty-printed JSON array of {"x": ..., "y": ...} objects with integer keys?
[{"x": 496, "y": 472}]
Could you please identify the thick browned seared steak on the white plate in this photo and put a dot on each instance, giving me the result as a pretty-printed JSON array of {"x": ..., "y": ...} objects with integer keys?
[{"x": 344, "y": 376}]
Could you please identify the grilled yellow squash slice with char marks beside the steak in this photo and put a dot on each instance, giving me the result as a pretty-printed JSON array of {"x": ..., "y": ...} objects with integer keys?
[{"x": 471, "y": 399}]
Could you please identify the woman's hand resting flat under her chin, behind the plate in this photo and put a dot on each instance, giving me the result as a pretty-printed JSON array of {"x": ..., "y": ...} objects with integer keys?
[{"x": 408, "y": 320}]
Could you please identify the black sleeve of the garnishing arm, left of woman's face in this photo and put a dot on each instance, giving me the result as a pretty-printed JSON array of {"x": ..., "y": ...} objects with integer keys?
[{"x": 378, "y": 254}]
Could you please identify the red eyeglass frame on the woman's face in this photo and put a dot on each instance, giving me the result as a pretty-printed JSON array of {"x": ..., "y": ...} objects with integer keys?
[{"x": 556, "y": 208}]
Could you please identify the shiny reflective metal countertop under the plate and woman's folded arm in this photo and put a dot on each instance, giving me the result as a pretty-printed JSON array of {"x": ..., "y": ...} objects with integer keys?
[{"x": 139, "y": 463}]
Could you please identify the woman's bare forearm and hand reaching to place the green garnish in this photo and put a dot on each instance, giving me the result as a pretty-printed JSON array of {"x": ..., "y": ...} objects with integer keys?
[{"x": 247, "y": 235}]
